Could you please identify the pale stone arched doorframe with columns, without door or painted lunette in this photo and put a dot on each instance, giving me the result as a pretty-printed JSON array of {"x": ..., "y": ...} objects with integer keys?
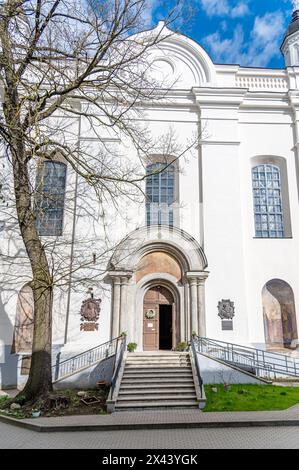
[{"x": 127, "y": 294}]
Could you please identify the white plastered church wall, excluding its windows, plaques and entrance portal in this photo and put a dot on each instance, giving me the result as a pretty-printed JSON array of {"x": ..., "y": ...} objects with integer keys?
[{"x": 253, "y": 116}]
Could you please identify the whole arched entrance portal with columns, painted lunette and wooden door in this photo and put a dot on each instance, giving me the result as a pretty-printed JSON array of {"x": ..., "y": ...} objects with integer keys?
[{"x": 155, "y": 256}]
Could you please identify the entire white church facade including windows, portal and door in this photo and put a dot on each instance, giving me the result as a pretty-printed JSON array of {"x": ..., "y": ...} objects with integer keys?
[{"x": 213, "y": 248}]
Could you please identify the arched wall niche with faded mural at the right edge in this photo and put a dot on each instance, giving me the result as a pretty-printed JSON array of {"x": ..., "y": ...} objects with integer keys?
[{"x": 279, "y": 315}]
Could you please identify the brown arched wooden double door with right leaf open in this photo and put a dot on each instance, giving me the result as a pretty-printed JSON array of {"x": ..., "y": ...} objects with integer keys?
[{"x": 158, "y": 319}]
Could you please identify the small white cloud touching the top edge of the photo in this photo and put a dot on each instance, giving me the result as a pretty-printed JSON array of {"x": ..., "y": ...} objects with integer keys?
[{"x": 224, "y": 8}]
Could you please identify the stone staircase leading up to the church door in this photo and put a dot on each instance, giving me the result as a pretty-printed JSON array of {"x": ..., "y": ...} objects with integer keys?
[{"x": 159, "y": 380}]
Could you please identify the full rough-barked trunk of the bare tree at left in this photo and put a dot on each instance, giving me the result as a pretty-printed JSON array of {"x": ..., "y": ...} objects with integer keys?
[{"x": 40, "y": 377}]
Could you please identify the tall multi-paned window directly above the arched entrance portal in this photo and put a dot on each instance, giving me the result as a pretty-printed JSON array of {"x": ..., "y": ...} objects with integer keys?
[{"x": 160, "y": 194}]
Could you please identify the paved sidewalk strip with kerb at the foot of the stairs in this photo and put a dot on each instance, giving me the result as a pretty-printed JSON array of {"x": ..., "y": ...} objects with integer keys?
[{"x": 171, "y": 419}]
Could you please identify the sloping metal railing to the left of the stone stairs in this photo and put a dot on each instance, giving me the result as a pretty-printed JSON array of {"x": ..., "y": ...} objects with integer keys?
[{"x": 83, "y": 360}]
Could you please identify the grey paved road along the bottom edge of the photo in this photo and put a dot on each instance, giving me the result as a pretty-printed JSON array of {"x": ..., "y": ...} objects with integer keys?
[{"x": 12, "y": 437}]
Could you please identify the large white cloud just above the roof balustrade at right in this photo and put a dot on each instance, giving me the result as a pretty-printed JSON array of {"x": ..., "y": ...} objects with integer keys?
[{"x": 261, "y": 47}]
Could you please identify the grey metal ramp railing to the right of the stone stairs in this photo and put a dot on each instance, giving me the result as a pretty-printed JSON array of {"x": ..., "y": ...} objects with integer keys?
[{"x": 263, "y": 363}]
